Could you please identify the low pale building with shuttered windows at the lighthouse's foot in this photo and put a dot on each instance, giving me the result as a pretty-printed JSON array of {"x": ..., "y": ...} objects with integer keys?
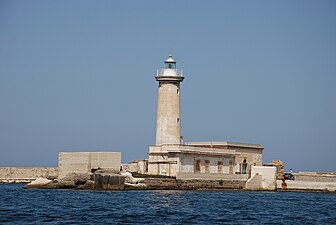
[{"x": 170, "y": 159}]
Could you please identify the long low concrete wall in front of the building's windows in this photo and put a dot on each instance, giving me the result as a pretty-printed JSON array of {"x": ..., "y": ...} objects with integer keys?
[{"x": 210, "y": 176}]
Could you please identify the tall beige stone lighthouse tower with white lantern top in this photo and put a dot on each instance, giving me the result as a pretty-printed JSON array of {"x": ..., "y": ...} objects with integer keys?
[{"x": 168, "y": 128}]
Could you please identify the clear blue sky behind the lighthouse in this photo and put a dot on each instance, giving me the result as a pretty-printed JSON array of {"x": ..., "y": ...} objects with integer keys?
[{"x": 79, "y": 76}]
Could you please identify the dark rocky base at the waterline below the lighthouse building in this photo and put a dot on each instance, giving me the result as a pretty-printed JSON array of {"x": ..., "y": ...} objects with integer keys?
[{"x": 100, "y": 180}]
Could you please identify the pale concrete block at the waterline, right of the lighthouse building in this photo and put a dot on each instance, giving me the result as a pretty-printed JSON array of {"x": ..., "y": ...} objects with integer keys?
[{"x": 268, "y": 174}]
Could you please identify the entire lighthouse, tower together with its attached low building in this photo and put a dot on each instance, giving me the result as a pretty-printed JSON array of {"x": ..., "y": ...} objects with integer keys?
[{"x": 170, "y": 155}]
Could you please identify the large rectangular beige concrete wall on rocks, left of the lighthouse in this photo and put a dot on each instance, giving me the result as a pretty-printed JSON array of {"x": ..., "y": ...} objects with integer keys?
[{"x": 83, "y": 162}]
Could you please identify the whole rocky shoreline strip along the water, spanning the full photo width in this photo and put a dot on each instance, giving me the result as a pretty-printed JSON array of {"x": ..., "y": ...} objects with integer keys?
[{"x": 115, "y": 180}]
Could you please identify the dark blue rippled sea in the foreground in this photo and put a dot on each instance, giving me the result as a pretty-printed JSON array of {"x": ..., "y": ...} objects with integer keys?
[{"x": 29, "y": 206}]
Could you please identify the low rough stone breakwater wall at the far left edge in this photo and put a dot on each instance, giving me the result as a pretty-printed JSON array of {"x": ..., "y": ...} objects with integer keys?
[{"x": 25, "y": 175}]
